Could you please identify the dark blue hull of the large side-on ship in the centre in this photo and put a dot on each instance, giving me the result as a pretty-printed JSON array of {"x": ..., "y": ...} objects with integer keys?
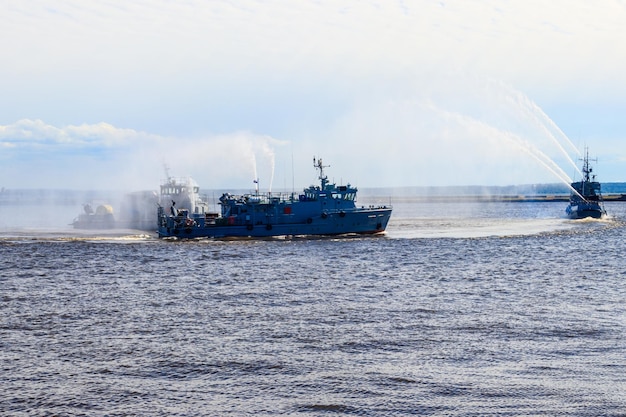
[{"x": 358, "y": 222}]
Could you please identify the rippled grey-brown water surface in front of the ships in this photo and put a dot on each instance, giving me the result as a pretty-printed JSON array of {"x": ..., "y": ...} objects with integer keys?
[{"x": 503, "y": 309}]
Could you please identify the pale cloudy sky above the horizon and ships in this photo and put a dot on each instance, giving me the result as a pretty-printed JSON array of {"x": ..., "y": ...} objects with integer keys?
[{"x": 102, "y": 94}]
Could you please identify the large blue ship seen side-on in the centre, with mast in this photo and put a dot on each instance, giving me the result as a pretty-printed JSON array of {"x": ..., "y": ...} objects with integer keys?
[{"x": 327, "y": 209}]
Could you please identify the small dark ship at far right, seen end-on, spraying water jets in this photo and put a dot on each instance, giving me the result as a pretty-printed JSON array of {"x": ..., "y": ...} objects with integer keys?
[{"x": 587, "y": 201}]
